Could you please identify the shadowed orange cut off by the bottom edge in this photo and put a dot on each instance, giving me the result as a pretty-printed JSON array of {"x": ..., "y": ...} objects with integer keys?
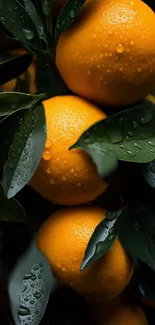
[{"x": 119, "y": 312}]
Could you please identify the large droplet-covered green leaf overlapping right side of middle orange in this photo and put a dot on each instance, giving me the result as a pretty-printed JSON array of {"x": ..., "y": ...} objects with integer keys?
[{"x": 127, "y": 136}]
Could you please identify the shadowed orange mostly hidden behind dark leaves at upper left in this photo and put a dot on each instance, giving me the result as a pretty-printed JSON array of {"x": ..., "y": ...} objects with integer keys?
[{"x": 30, "y": 73}]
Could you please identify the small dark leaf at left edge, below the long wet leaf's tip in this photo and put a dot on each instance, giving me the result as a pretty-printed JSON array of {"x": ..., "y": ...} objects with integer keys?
[{"x": 12, "y": 211}]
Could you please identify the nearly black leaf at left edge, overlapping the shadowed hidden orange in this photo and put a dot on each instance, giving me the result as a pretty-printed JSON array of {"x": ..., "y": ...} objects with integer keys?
[{"x": 14, "y": 67}]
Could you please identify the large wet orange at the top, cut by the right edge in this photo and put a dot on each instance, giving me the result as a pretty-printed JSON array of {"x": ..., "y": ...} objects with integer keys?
[{"x": 108, "y": 54}]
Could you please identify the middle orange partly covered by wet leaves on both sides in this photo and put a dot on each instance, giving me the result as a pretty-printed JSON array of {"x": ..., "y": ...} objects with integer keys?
[{"x": 68, "y": 177}]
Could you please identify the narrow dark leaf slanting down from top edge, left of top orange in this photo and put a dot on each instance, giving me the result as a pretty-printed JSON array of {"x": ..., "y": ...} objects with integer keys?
[{"x": 31, "y": 10}]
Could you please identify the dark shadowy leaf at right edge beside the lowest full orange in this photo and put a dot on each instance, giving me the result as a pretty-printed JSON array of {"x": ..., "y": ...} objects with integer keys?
[{"x": 138, "y": 234}]
